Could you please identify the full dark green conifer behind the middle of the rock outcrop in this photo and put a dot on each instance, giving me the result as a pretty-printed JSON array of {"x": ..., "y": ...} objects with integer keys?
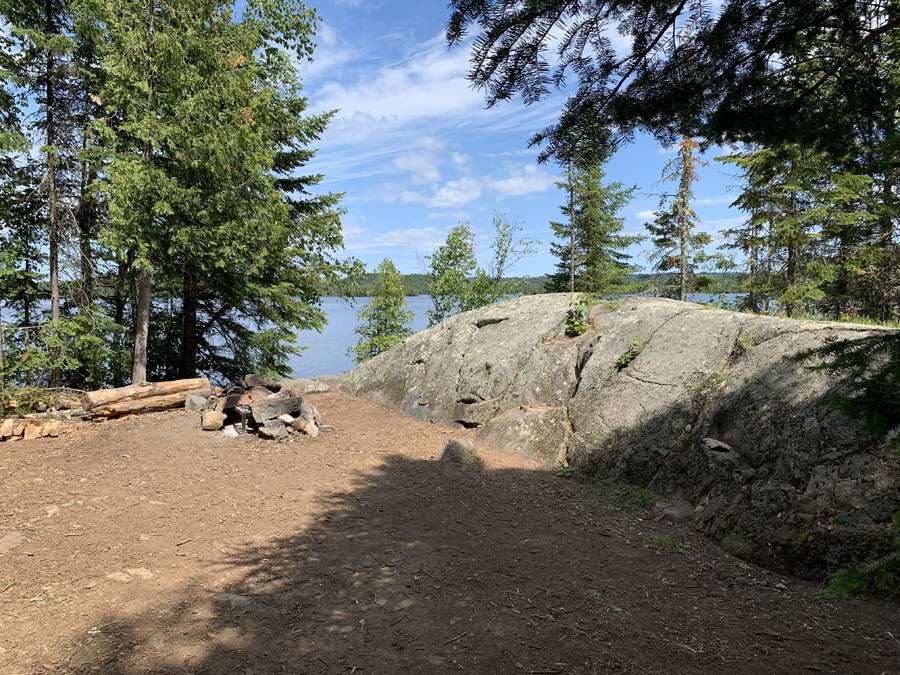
[{"x": 591, "y": 246}]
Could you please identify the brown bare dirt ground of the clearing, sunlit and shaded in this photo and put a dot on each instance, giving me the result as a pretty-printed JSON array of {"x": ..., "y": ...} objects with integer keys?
[{"x": 148, "y": 546}]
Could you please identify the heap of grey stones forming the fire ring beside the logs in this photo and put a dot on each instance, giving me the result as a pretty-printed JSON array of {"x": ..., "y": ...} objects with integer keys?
[{"x": 273, "y": 410}]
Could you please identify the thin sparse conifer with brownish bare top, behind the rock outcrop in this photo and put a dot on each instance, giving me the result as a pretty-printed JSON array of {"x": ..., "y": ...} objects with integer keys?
[{"x": 676, "y": 245}]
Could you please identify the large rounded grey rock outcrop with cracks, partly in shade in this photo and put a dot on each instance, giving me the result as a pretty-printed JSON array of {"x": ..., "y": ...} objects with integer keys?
[{"x": 690, "y": 401}]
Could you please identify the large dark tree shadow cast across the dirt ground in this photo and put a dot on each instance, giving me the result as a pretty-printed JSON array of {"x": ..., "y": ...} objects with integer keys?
[{"x": 433, "y": 568}]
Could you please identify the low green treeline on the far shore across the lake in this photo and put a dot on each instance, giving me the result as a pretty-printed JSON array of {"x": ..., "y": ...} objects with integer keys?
[{"x": 416, "y": 284}]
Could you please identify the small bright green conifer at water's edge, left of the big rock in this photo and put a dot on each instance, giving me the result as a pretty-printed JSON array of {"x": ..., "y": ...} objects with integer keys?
[{"x": 383, "y": 320}]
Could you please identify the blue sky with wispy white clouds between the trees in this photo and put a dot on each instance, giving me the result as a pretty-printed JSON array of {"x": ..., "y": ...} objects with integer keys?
[{"x": 415, "y": 150}]
